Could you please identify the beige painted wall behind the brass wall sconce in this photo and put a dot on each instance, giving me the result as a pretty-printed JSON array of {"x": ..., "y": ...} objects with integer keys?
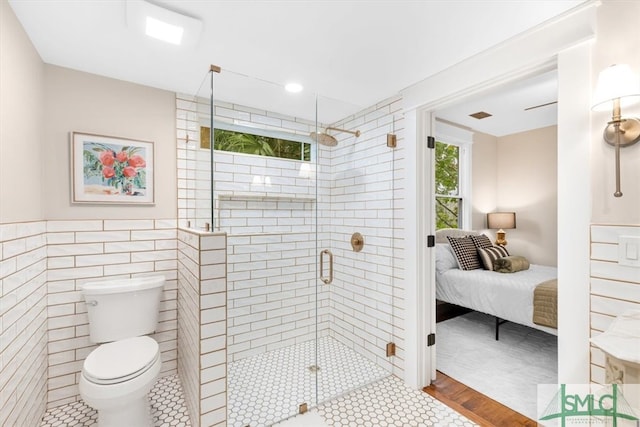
[{"x": 618, "y": 42}]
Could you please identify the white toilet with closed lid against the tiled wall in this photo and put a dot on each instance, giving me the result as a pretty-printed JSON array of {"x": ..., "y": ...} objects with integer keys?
[{"x": 118, "y": 375}]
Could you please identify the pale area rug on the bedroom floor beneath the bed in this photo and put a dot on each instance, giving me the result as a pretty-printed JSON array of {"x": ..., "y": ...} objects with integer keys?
[{"x": 507, "y": 370}]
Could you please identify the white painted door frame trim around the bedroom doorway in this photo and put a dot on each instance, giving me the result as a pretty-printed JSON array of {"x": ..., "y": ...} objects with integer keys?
[{"x": 565, "y": 43}]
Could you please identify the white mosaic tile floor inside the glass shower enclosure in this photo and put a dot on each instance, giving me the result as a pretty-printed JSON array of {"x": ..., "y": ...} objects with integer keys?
[{"x": 268, "y": 387}]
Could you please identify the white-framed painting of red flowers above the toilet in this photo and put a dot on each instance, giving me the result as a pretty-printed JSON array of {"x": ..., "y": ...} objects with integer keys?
[{"x": 107, "y": 169}]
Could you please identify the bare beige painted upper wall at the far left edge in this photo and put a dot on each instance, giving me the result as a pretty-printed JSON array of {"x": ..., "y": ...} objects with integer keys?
[{"x": 21, "y": 117}]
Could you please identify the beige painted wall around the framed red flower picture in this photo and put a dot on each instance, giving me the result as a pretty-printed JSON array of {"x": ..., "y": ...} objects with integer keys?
[{"x": 77, "y": 101}]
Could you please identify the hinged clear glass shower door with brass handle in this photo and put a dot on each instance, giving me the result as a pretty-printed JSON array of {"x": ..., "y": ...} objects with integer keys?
[{"x": 356, "y": 284}]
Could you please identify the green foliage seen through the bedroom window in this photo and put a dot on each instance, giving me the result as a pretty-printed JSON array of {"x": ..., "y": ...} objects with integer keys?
[{"x": 448, "y": 200}]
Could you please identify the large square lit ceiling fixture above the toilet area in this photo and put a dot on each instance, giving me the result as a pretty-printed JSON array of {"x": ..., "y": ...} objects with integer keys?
[{"x": 162, "y": 24}]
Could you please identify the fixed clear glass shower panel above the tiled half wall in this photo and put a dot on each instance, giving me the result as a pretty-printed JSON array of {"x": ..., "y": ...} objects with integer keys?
[{"x": 264, "y": 197}]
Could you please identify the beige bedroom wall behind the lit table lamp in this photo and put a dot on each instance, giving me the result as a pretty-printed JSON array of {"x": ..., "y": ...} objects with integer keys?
[{"x": 519, "y": 173}]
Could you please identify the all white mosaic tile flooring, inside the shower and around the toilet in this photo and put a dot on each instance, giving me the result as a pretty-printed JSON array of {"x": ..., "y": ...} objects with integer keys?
[{"x": 261, "y": 389}]
